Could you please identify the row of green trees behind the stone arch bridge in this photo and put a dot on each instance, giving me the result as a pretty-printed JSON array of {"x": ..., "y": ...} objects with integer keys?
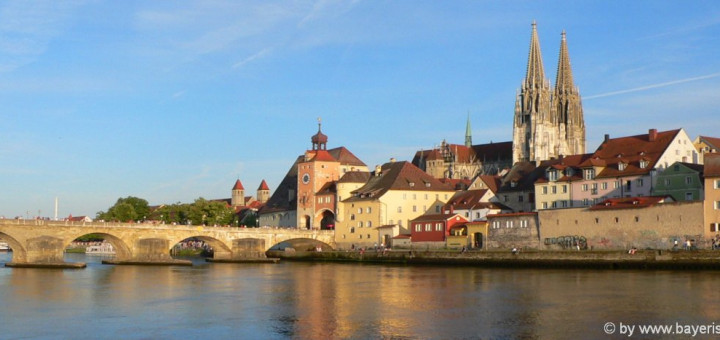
[{"x": 200, "y": 212}]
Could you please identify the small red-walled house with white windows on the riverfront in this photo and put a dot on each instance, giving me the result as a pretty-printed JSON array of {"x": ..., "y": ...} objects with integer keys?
[{"x": 434, "y": 229}]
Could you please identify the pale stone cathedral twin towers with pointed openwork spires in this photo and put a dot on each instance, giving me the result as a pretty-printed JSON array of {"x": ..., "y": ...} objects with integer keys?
[{"x": 548, "y": 123}]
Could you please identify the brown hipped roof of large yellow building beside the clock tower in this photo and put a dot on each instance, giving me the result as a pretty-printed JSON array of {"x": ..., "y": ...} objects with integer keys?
[{"x": 398, "y": 176}]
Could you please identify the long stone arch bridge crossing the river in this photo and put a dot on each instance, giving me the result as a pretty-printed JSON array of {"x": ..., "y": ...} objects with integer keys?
[{"x": 43, "y": 242}]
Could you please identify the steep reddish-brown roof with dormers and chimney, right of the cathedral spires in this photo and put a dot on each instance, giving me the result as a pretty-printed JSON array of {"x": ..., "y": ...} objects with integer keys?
[{"x": 631, "y": 150}]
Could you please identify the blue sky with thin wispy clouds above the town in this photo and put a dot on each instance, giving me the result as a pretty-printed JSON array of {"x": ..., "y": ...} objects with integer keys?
[{"x": 171, "y": 101}]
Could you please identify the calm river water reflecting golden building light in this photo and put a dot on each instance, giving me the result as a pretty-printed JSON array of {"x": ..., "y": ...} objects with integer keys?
[{"x": 344, "y": 301}]
